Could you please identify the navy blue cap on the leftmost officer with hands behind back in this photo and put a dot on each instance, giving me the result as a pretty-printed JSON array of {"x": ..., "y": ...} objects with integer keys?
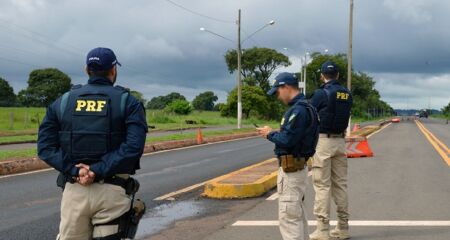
[{"x": 101, "y": 59}]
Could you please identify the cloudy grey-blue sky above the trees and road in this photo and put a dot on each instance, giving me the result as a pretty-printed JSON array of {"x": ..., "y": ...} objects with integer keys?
[{"x": 403, "y": 44}]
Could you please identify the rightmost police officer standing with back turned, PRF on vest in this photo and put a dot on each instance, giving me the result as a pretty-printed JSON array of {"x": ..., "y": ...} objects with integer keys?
[{"x": 329, "y": 167}]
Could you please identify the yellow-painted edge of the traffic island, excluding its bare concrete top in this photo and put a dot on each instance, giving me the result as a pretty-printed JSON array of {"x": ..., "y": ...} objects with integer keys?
[{"x": 216, "y": 189}]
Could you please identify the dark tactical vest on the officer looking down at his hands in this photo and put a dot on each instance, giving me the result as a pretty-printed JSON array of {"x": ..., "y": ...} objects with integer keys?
[{"x": 307, "y": 147}]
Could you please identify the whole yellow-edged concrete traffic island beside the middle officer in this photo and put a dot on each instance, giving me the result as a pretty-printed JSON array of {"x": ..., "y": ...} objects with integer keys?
[{"x": 252, "y": 181}]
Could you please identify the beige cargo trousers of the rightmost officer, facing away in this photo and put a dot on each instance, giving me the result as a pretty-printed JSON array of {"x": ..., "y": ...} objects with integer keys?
[{"x": 329, "y": 175}]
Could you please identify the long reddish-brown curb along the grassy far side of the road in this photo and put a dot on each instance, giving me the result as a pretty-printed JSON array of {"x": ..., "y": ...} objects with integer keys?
[{"x": 31, "y": 164}]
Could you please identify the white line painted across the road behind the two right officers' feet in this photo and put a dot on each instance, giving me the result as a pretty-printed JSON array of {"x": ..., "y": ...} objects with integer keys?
[{"x": 356, "y": 223}]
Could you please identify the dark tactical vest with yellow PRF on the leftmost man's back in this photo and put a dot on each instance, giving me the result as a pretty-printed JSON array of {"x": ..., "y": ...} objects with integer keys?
[{"x": 92, "y": 121}]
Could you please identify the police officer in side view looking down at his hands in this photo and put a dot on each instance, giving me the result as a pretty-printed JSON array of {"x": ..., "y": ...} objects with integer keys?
[{"x": 294, "y": 144}]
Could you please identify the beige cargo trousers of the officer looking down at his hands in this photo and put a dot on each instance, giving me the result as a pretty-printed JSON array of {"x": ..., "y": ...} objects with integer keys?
[{"x": 291, "y": 210}]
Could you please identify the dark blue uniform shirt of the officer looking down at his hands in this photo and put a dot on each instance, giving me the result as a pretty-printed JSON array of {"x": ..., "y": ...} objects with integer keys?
[{"x": 293, "y": 128}]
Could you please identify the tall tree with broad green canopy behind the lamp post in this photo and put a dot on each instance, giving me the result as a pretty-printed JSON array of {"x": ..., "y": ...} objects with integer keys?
[{"x": 258, "y": 64}]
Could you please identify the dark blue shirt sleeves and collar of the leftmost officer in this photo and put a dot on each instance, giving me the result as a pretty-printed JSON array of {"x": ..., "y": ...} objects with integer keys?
[{"x": 125, "y": 159}]
